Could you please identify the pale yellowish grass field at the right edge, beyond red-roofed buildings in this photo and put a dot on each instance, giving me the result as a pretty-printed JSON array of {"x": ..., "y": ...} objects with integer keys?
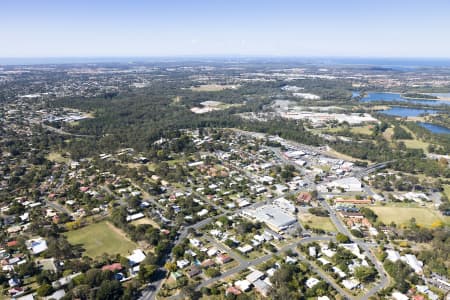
[{"x": 401, "y": 215}]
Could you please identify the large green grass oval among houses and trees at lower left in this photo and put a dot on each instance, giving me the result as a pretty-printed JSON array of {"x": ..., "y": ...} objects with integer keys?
[{"x": 99, "y": 238}]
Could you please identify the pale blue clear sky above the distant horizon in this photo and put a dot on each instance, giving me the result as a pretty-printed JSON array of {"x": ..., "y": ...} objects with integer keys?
[{"x": 378, "y": 28}]
